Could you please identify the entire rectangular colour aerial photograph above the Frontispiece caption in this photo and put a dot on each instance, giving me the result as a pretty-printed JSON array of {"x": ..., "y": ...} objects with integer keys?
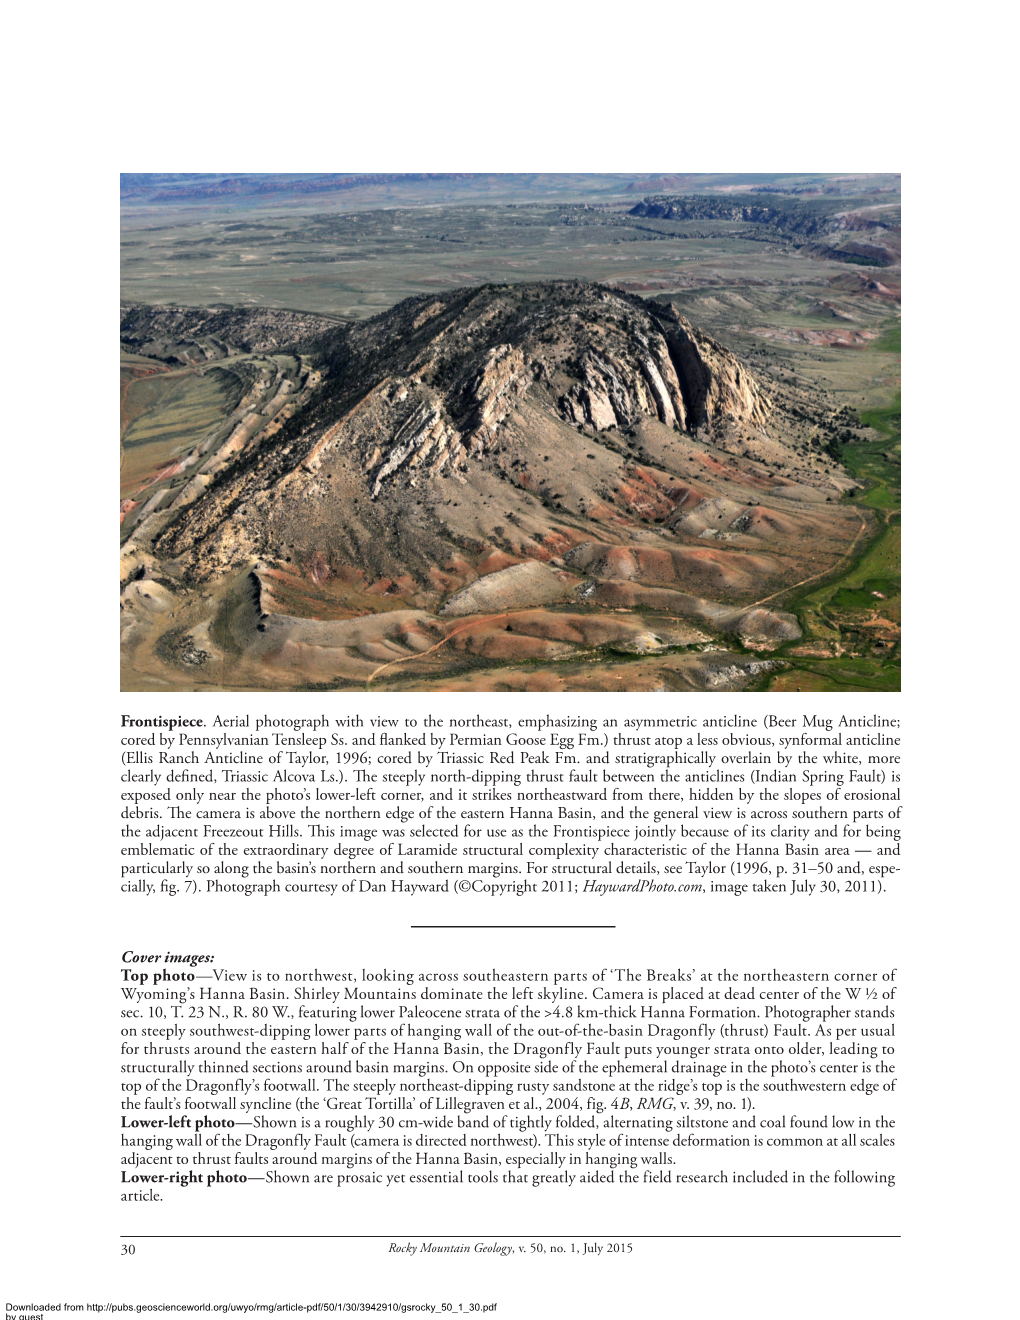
[{"x": 510, "y": 432}]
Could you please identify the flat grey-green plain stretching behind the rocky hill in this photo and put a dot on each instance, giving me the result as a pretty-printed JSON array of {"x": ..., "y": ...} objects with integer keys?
[{"x": 357, "y": 265}]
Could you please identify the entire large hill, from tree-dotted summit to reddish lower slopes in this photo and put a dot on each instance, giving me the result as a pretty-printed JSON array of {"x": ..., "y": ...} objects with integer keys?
[{"x": 501, "y": 456}]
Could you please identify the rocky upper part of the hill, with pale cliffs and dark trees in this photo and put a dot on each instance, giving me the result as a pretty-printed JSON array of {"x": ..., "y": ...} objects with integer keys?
[{"x": 439, "y": 389}]
